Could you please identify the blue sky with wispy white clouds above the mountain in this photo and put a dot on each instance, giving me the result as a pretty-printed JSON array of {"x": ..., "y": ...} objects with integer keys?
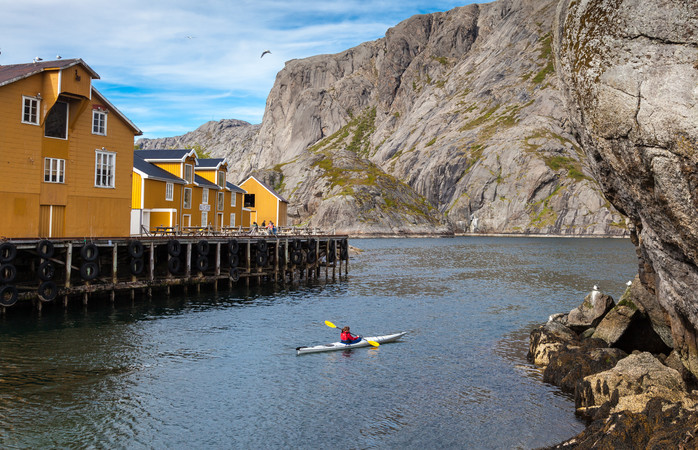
[{"x": 172, "y": 65}]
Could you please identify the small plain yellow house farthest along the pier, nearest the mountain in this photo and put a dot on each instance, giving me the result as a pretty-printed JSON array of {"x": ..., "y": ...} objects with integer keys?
[{"x": 264, "y": 204}]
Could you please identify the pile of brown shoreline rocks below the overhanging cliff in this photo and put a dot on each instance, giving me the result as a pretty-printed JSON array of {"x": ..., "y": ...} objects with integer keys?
[{"x": 630, "y": 396}]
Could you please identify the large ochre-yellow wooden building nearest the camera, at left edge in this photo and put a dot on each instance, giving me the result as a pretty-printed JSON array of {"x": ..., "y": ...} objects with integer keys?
[{"x": 67, "y": 152}]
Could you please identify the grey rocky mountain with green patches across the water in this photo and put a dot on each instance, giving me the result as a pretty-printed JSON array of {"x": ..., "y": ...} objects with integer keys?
[{"x": 452, "y": 121}]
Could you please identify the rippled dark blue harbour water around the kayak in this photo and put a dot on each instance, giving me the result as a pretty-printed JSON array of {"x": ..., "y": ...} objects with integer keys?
[{"x": 220, "y": 371}]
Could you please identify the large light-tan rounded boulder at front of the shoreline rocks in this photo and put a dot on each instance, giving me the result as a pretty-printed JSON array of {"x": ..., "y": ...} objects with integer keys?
[{"x": 629, "y": 386}]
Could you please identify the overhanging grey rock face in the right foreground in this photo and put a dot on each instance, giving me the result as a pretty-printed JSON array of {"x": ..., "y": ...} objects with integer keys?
[{"x": 629, "y": 76}]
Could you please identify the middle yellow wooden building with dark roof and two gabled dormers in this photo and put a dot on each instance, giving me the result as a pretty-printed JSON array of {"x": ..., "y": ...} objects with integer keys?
[{"x": 174, "y": 188}]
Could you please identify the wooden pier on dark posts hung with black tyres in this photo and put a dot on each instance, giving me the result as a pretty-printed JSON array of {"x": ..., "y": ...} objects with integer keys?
[{"x": 54, "y": 270}]
